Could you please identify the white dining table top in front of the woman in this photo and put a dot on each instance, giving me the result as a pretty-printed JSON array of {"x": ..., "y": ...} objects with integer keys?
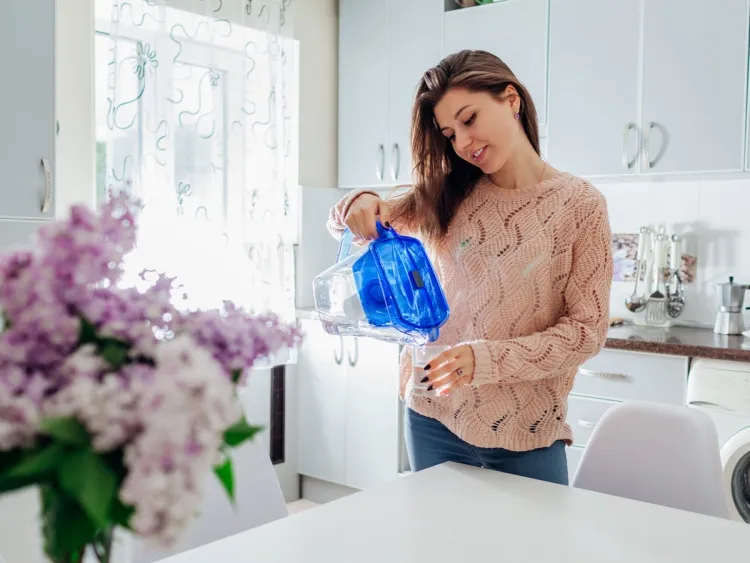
[{"x": 459, "y": 514}]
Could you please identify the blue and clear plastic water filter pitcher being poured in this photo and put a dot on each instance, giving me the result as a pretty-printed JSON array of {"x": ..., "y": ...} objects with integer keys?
[{"x": 388, "y": 291}]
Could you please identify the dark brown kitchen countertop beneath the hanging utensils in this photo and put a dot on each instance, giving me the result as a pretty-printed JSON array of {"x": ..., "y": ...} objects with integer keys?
[{"x": 679, "y": 341}]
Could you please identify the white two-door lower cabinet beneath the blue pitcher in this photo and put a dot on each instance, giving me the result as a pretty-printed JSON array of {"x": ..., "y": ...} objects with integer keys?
[{"x": 348, "y": 409}]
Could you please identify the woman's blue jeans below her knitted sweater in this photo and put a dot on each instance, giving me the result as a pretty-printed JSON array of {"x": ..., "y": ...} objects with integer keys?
[{"x": 430, "y": 443}]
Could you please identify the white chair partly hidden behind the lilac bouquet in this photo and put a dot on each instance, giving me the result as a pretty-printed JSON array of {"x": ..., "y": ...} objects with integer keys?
[{"x": 259, "y": 500}]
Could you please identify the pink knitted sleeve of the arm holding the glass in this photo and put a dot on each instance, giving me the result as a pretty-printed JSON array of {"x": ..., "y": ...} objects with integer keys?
[{"x": 580, "y": 333}]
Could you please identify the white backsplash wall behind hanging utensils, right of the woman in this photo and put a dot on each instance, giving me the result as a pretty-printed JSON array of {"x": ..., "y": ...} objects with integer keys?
[{"x": 714, "y": 216}]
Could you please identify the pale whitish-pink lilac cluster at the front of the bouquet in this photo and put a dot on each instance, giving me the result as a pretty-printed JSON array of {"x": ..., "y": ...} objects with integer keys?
[{"x": 184, "y": 407}]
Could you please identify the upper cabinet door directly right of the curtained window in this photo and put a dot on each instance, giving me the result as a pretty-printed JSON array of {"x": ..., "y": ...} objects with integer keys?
[{"x": 363, "y": 80}]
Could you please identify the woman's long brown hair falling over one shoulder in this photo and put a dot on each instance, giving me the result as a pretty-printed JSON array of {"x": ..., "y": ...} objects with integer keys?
[{"x": 442, "y": 179}]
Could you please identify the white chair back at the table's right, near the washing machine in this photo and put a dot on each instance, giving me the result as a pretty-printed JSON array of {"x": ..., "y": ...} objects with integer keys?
[{"x": 656, "y": 453}]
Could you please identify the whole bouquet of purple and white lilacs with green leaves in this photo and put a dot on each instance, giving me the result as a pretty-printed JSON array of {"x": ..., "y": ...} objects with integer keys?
[{"x": 113, "y": 402}]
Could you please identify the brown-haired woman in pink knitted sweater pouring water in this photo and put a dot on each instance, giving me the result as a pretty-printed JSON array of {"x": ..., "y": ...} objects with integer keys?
[{"x": 523, "y": 253}]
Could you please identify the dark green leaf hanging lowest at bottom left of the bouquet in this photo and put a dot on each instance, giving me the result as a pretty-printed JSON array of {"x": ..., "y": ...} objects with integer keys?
[{"x": 66, "y": 527}]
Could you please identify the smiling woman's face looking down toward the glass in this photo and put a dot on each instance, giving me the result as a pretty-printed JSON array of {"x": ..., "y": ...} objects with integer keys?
[{"x": 482, "y": 128}]
